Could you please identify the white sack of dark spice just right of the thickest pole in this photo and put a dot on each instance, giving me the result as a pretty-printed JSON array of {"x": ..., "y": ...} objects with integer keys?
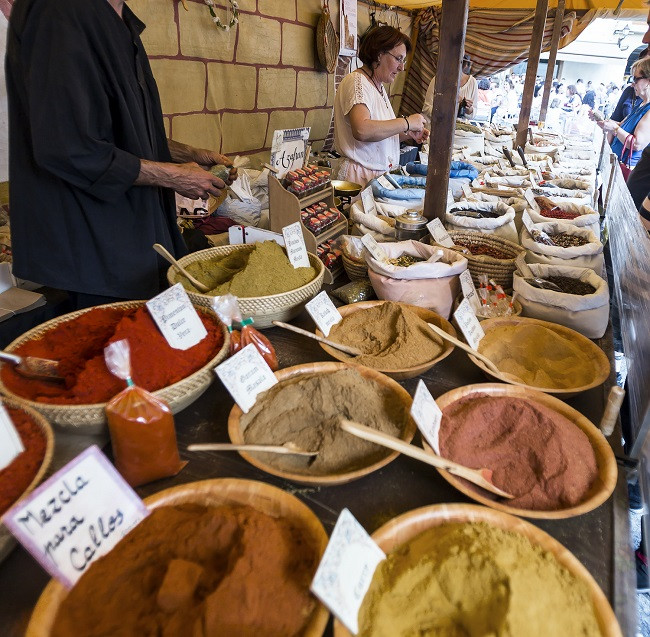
[{"x": 490, "y": 218}]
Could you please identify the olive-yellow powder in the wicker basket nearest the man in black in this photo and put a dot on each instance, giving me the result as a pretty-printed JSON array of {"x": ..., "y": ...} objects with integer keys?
[{"x": 262, "y": 269}]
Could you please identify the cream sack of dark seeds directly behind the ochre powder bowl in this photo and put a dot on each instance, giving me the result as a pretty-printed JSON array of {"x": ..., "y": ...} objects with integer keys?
[{"x": 582, "y": 304}]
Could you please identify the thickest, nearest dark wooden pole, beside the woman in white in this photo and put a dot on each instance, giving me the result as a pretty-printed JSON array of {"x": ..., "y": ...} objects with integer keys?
[{"x": 453, "y": 24}]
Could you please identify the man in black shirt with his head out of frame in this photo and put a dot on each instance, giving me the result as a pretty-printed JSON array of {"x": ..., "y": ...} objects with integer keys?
[{"x": 92, "y": 174}]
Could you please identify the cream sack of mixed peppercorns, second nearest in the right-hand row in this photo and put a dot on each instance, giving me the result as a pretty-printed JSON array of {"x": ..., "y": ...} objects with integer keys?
[{"x": 572, "y": 246}]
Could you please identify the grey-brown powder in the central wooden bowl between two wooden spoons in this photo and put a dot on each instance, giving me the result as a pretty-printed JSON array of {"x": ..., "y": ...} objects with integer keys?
[{"x": 306, "y": 409}]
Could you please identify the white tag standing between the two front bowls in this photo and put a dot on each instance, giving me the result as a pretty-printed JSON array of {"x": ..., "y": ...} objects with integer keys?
[{"x": 346, "y": 570}]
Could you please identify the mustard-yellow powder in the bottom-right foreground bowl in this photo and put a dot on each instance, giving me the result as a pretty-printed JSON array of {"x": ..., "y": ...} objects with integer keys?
[{"x": 474, "y": 578}]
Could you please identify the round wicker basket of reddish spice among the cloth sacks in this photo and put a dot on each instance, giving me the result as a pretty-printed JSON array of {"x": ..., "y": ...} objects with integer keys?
[{"x": 500, "y": 270}]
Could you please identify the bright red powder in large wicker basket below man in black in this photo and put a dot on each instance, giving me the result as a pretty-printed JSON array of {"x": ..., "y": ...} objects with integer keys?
[{"x": 79, "y": 346}]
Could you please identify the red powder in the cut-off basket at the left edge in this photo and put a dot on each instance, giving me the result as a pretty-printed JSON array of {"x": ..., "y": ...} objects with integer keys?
[{"x": 16, "y": 477}]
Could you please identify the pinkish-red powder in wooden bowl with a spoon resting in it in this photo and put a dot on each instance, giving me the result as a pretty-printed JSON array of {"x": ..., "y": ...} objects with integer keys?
[{"x": 536, "y": 454}]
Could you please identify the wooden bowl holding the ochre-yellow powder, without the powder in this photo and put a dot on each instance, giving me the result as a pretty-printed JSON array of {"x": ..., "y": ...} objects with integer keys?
[{"x": 599, "y": 358}]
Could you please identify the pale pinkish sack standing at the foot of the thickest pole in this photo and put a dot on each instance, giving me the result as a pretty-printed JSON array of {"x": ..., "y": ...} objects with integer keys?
[{"x": 418, "y": 274}]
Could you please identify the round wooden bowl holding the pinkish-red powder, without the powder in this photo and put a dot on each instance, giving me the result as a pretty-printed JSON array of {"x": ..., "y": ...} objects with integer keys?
[{"x": 606, "y": 462}]
